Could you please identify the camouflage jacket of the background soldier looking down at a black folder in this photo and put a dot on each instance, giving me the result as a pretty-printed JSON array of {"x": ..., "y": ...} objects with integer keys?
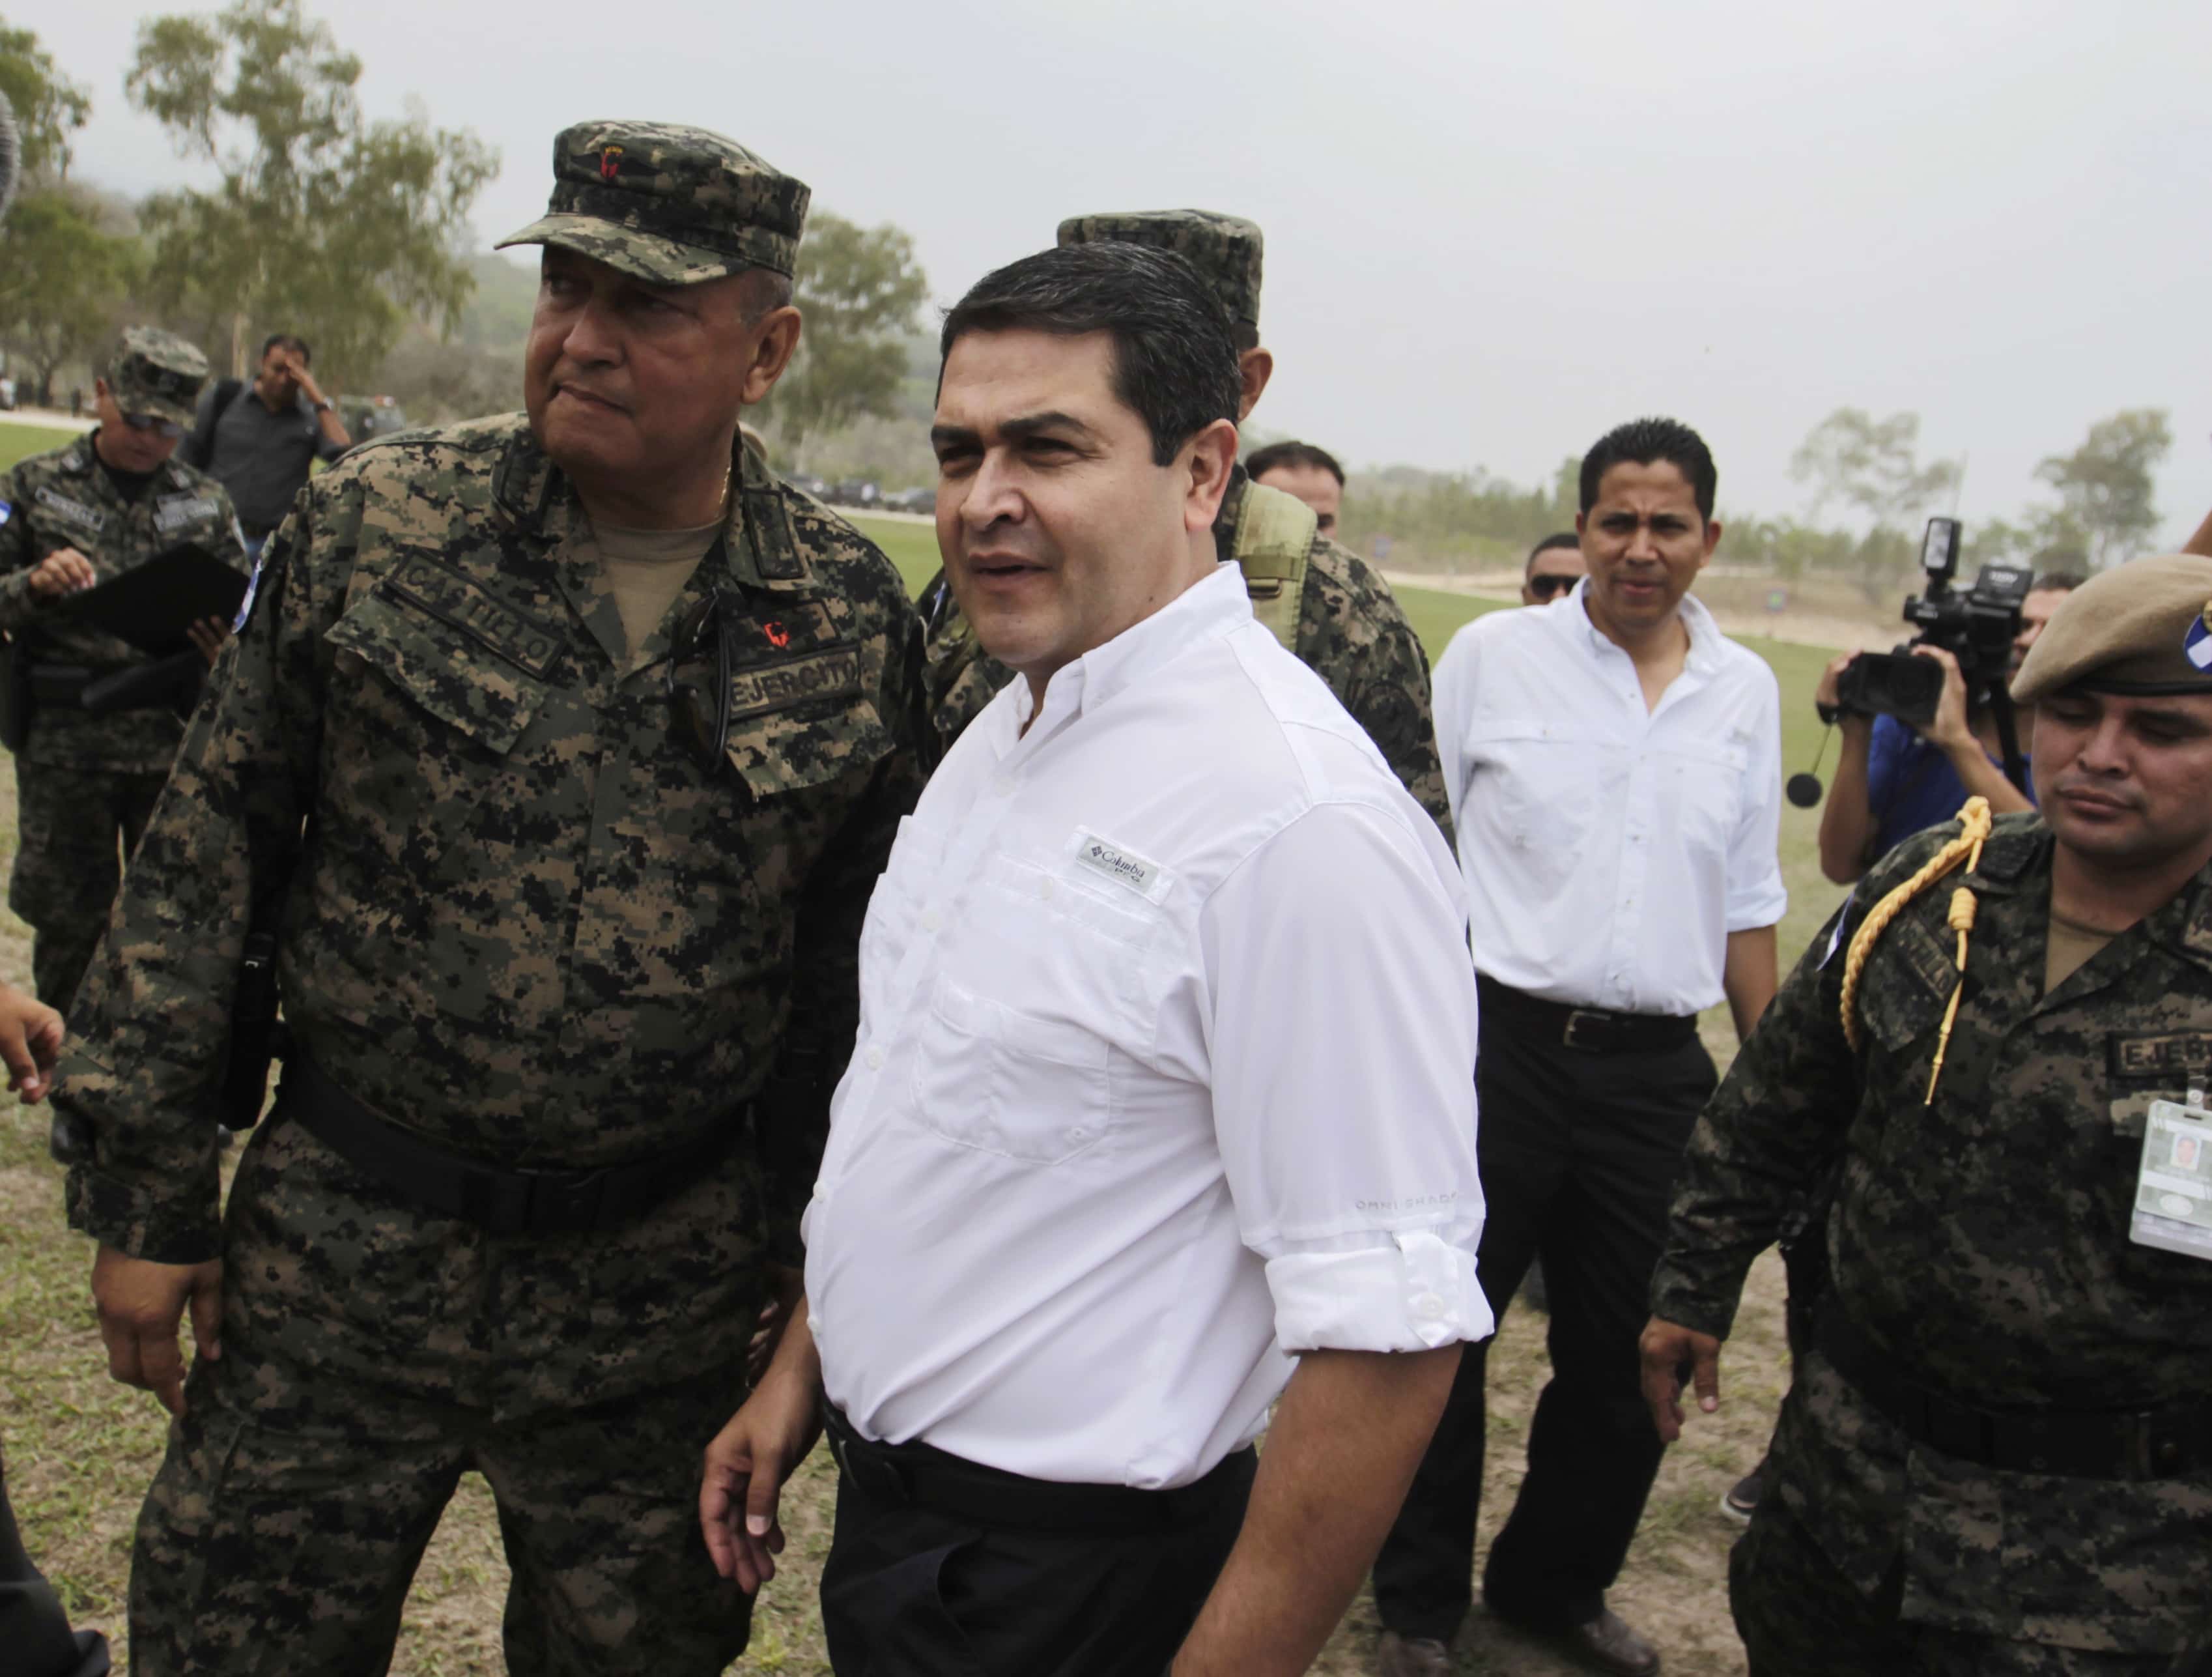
[{"x": 65, "y": 499}]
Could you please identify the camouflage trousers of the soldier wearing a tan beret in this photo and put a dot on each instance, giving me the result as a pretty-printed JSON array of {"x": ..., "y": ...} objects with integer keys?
[{"x": 1802, "y": 1618}]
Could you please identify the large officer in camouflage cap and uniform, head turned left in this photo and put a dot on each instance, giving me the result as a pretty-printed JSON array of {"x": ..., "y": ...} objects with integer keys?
[{"x": 563, "y": 751}]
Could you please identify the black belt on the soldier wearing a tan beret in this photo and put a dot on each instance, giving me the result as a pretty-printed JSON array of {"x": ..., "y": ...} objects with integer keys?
[{"x": 2076, "y": 1444}]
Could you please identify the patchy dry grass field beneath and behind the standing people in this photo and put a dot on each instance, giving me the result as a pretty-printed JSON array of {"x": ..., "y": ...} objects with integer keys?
[{"x": 83, "y": 1450}]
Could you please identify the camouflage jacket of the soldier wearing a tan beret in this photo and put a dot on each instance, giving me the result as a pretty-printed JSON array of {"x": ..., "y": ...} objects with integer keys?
[{"x": 1981, "y": 1242}]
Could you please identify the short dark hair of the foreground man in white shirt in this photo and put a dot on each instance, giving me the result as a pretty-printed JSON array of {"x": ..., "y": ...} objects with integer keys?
[{"x": 1173, "y": 357}]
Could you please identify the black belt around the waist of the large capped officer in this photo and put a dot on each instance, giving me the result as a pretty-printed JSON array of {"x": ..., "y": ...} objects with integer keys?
[{"x": 501, "y": 1200}]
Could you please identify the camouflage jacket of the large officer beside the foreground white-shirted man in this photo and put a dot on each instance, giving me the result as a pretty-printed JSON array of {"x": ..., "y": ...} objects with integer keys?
[{"x": 517, "y": 915}]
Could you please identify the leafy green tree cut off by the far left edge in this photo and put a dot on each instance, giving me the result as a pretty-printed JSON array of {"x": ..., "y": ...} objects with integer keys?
[{"x": 63, "y": 275}]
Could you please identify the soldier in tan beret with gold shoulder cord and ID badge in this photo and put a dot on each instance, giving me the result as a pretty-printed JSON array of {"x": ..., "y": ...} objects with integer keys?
[{"x": 1999, "y": 1455}]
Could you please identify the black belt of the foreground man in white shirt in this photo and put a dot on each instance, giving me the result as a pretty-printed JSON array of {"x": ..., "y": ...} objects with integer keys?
[{"x": 988, "y": 1497}]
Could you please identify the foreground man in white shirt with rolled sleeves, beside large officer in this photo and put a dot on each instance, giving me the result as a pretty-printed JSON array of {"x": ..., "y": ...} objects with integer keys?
[{"x": 1162, "y": 1101}]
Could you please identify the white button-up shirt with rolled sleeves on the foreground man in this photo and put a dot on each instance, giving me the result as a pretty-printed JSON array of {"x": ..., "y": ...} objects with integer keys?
[{"x": 1165, "y": 1070}]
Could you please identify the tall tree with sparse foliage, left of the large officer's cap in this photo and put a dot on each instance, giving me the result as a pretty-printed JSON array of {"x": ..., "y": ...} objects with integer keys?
[{"x": 324, "y": 222}]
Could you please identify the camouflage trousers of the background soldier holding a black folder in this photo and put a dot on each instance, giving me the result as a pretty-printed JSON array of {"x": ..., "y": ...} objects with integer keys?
[{"x": 76, "y": 829}]
